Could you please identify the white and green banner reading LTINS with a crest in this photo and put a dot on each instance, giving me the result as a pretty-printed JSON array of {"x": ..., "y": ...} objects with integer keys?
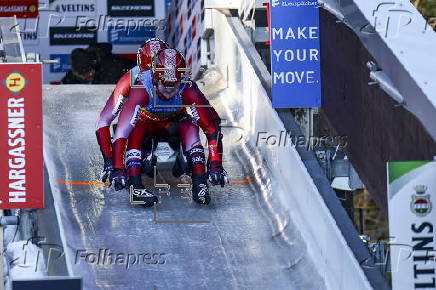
[{"x": 412, "y": 217}]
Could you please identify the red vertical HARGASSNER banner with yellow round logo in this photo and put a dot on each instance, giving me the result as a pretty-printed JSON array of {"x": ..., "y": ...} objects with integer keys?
[{"x": 21, "y": 164}]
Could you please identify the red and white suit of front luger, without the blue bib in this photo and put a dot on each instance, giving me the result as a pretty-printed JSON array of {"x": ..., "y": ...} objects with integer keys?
[{"x": 135, "y": 124}]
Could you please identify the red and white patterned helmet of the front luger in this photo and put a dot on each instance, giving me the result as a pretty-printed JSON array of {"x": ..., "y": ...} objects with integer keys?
[{"x": 169, "y": 67}]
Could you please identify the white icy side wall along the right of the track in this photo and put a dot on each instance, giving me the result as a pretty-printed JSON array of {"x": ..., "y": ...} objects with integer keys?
[{"x": 247, "y": 102}]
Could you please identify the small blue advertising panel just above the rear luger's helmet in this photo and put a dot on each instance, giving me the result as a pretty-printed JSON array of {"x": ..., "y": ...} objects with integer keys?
[{"x": 130, "y": 34}]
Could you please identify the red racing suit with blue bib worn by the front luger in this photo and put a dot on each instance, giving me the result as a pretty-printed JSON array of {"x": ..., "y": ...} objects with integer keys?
[{"x": 145, "y": 114}]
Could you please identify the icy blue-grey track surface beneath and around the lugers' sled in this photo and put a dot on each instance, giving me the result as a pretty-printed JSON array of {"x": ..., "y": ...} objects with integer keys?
[{"x": 234, "y": 246}]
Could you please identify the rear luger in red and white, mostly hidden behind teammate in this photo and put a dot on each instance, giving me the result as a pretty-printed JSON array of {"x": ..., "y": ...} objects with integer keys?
[{"x": 119, "y": 96}]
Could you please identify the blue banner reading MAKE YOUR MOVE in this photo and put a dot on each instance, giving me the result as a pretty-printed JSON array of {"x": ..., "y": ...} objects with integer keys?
[{"x": 295, "y": 56}]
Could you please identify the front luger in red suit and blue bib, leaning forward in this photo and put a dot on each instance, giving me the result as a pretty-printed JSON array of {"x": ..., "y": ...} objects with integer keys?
[{"x": 160, "y": 107}]
